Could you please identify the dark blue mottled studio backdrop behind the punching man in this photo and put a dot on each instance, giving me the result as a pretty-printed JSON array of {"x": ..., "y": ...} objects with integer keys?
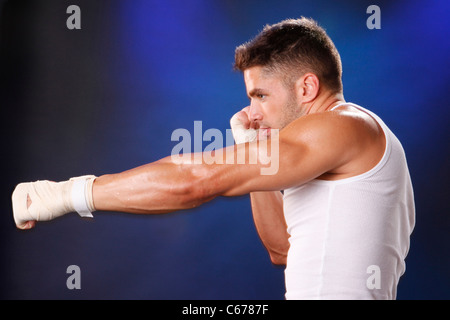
[{"x": 107, "y": 98}]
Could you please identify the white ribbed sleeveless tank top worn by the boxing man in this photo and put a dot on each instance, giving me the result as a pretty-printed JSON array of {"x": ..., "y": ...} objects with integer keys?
[{"x": 350, "y": 237}]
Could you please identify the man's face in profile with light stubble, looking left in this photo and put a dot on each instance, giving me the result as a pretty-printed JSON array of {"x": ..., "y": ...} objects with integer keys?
[{"x": 272, "y": 105}]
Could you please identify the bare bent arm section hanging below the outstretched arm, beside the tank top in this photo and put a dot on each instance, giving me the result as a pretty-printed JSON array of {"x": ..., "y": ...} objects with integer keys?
[{"x": 267, "y": 207}]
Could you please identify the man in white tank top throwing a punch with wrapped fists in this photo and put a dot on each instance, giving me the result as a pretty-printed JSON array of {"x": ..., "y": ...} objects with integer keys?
[{"x": 339, "y": 210}]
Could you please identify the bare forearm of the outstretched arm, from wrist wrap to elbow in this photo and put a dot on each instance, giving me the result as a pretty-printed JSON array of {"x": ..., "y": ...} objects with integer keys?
[{"x": 158, "y": 187}]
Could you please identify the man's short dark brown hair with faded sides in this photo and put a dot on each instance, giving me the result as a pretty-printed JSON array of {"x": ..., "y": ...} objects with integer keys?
[{"x": 292, "y": 48}]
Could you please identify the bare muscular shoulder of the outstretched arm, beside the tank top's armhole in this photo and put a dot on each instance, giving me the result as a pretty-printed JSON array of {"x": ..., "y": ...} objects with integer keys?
[{"x": 348, "y": 141}]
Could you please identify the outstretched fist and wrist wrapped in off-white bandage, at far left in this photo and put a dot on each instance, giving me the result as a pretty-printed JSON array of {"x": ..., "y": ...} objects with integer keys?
[{"x": 47, "y": 200}]
